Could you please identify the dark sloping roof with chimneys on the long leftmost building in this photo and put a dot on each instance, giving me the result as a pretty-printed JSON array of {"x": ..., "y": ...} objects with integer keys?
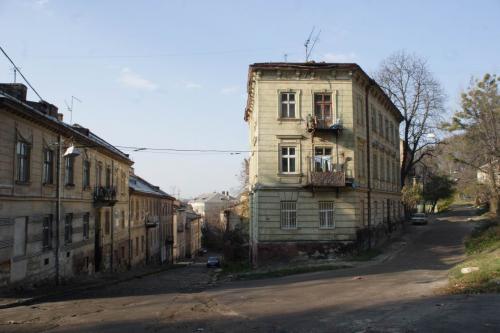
[{"x": 27, "y": 109}]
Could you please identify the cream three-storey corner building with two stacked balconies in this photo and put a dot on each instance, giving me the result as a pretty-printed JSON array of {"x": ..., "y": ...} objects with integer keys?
[{"x": 324, "y": 161}]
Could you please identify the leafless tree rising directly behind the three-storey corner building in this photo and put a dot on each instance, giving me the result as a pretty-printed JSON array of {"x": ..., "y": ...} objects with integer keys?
[{"x": 407, "y": 80}]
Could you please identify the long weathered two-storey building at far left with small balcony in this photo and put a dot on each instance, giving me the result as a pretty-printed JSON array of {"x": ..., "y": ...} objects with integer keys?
[{"x": 59, "y": 216}]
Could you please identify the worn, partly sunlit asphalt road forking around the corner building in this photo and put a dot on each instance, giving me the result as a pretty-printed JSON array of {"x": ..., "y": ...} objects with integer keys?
[{"x": 400, "y": 294}]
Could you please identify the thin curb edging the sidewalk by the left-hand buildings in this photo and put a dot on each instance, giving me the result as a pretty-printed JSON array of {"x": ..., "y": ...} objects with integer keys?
[{"x": 40, "y": 298}]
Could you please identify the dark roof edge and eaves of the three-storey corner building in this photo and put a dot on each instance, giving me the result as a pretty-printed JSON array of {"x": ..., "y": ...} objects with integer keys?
[{"x": 314, "y": 66}]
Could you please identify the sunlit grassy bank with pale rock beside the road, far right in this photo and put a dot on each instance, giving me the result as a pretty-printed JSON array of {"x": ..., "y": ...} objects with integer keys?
[{"x": 483, "y": 251}]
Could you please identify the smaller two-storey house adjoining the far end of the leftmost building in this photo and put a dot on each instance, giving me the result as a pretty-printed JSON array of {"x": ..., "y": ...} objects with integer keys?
[{"x": 151, "y": 228}]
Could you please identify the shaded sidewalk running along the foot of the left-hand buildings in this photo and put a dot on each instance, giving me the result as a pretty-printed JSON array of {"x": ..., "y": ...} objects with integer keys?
[{"x": 18, "y": 297}]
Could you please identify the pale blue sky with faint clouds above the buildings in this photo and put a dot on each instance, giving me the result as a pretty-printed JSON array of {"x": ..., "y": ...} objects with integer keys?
[{"x": 172, "y": 74}]
